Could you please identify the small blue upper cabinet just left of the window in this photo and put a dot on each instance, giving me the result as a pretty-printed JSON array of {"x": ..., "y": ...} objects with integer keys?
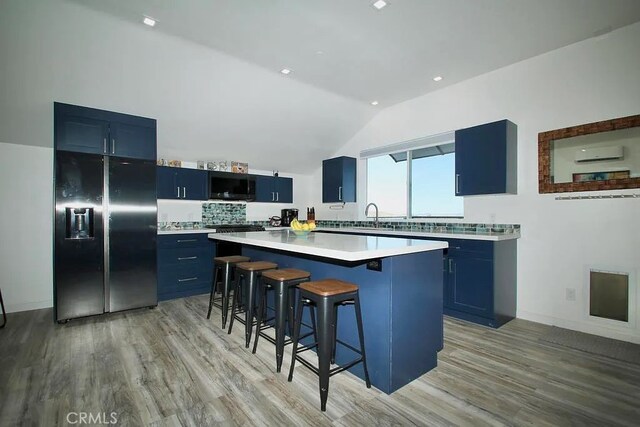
[{"x": 339, "y": 180}]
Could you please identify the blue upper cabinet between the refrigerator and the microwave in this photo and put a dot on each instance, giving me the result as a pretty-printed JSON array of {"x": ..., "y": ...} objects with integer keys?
[{"x": 181, "y": 183}]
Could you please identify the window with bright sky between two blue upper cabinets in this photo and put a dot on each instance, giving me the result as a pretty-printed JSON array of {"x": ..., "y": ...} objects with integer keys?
[{"x": 430, "y": 191}]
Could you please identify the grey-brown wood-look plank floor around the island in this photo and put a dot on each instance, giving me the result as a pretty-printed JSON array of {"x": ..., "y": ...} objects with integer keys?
[{"x": 172, "y": 367}]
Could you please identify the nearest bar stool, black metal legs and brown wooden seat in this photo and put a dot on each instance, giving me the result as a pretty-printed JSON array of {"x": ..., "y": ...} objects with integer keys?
[{"x": 325, "y": 295}]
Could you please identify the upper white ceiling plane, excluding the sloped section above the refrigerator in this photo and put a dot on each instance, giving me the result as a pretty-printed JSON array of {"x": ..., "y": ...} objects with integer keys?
[{"x": 389, "y": 55}]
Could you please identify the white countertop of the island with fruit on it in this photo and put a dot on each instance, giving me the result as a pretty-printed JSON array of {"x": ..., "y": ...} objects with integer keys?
[{"x": 347, "y": 247}]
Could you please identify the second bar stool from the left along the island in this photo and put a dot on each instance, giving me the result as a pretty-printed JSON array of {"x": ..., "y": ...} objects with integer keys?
[{"x": 247, "y": 273}]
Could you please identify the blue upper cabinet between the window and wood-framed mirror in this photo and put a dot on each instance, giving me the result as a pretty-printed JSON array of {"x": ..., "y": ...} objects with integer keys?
[{"x": 486, "y": 159}]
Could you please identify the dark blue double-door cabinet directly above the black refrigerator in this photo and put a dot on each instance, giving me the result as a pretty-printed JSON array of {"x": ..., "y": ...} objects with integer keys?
[{"x": 88, "y": 130}]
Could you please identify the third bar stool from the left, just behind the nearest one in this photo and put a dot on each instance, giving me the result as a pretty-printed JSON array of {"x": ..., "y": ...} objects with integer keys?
[{"x": 282, "y": 282}]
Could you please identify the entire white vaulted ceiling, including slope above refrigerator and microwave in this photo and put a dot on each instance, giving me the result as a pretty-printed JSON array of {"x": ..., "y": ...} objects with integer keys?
[{"x": 209, "y": 71}]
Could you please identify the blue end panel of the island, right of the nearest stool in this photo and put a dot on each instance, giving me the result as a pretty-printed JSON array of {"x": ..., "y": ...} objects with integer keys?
[{"x": 416, "y": 315}]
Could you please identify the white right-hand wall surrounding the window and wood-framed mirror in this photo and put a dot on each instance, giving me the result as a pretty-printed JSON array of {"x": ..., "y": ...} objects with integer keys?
[{"x": 590, "y": 81}]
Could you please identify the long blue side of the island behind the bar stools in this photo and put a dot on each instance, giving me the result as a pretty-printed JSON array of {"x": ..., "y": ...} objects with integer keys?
[{"x": 375, "y": 301}]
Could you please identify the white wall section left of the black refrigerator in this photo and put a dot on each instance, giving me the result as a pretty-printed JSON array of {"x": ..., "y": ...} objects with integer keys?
[{"x": 26, "y": 226}]
